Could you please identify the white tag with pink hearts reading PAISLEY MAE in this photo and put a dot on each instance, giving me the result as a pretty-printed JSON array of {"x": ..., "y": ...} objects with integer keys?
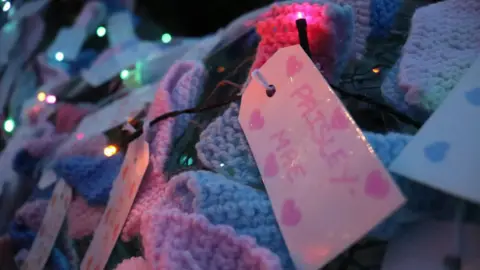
[{"x": 326, "y": 185}]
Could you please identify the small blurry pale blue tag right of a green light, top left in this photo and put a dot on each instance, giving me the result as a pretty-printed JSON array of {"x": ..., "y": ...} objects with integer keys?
[{"x": 120, "y": 28}]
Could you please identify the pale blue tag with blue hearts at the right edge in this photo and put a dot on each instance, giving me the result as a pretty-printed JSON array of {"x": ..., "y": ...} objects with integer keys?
[{"x": 444, "y": 154}]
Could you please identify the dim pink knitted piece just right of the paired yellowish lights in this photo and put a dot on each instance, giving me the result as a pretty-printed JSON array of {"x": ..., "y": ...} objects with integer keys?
[{"x": 68, "y": 117}]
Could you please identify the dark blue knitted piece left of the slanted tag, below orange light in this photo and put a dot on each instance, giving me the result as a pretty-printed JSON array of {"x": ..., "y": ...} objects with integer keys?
[{"x": 91, "y": 177}]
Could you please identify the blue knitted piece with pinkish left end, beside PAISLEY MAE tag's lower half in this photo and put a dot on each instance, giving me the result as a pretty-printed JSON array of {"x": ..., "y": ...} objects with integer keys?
[{"x": 225, "y": 202}]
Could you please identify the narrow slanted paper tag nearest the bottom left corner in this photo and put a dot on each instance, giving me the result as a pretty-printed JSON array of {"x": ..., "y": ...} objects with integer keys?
[{"x": 51, "y": 224}]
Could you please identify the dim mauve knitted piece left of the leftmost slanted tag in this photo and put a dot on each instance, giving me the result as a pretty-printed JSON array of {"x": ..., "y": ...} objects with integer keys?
[{"x": 31, "y": 214}]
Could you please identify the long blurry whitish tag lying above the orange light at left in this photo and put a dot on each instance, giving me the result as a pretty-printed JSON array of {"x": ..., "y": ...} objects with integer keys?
[{"x": 116, "y": 113}]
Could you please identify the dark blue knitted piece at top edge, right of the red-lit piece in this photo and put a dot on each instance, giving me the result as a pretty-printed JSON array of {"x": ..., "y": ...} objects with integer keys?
[{"x": 382, "y": 16}]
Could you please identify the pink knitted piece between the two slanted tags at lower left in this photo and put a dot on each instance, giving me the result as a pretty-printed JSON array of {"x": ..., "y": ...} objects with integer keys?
[{"x": 82, "y": 219}]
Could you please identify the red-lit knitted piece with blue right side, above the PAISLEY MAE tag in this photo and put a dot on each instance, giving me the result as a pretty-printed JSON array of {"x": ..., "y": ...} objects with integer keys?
[{"x": 330, "y": 33}]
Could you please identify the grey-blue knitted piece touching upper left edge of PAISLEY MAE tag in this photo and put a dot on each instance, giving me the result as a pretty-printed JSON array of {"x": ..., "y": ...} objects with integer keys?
[{"x": 223, "y": 147}]
